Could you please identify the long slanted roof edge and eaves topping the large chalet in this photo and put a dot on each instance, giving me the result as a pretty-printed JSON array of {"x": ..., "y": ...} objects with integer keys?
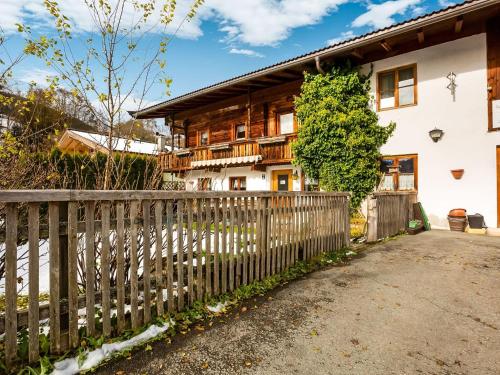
[{"x": 180, "y": 103}]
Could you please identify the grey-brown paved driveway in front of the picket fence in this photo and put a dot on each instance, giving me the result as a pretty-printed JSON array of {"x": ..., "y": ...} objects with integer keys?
[{"x": 425, "y": 304}]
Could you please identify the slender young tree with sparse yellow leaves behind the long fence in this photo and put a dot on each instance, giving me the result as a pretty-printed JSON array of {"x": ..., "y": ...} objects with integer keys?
[{"x": 114, "y": 51}]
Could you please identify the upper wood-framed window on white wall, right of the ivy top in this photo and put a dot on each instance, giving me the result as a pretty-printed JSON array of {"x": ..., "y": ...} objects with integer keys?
[{"x": 397, "y": 88}]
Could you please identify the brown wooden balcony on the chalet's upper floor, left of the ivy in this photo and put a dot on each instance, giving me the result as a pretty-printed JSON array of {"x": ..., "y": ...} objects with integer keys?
[{"x": 268, "y": 150}]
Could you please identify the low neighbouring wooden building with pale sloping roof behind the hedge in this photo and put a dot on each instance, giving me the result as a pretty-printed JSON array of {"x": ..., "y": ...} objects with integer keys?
[{"x": 74, "y": 140}]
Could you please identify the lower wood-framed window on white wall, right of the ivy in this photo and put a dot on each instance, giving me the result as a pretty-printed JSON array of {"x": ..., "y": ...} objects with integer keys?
[{"x": 399, "y": 173}]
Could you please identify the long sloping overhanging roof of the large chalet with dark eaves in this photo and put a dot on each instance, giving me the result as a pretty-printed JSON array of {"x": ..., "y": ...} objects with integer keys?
[{"x": 292, "y": 67}]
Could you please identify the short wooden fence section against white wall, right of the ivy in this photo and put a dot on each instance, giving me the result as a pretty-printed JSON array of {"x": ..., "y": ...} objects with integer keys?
[{"x": 389, "y": 213}]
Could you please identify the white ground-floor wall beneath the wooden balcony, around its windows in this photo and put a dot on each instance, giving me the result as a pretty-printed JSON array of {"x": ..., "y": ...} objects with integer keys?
[{"x": 256, "y": 180}]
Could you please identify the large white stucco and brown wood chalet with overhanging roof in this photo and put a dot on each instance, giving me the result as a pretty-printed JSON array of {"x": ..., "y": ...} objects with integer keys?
[{"x": 440, "y": 70}]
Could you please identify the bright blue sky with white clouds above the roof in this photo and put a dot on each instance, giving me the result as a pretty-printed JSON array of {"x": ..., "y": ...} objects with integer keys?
[{"x": 226, "y": 38}]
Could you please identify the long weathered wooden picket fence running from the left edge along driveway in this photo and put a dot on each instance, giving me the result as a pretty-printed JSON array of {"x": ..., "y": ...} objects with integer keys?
[{"x": 125, "y": 256}]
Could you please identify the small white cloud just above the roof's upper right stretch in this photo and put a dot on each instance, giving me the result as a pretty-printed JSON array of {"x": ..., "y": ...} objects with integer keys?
[{"x": 382, "y": 15}]
